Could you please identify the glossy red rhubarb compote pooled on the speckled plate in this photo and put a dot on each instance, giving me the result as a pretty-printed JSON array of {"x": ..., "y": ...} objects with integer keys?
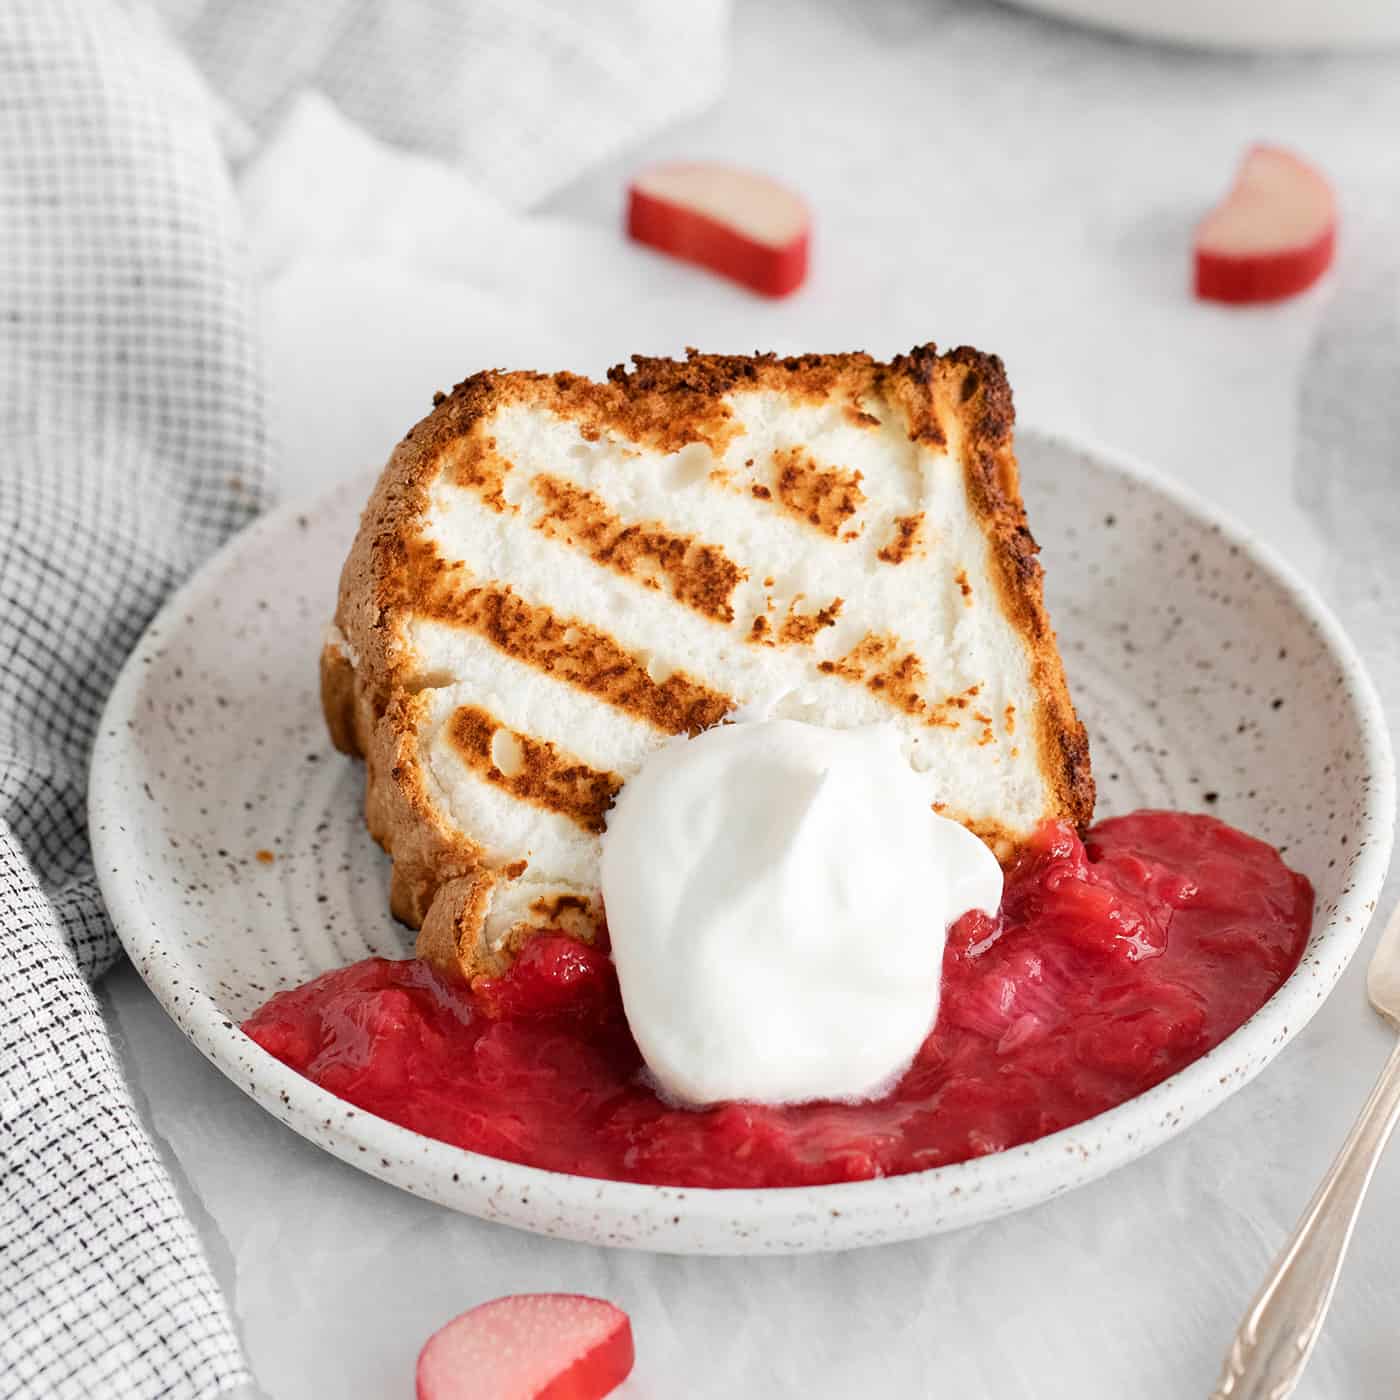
[{"x": 1115, "y": 962}]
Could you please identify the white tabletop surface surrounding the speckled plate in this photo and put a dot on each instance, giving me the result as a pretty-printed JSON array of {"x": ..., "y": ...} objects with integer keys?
[{"x": 978, "y": 176}]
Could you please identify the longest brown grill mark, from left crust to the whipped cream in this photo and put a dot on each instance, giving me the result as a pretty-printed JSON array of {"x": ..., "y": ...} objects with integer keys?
[{"x": 563, "y": 649}]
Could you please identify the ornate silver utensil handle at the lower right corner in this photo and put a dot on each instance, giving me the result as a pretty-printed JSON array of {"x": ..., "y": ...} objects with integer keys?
[{"x": 1279, "y": 1332}]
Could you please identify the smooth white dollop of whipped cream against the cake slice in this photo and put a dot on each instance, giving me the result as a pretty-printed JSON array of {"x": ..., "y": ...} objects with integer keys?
[{"x": 779, "y": 897}]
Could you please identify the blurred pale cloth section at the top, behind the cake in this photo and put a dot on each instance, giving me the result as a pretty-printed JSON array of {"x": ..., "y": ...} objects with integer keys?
[{"x": 520, "y": 94}]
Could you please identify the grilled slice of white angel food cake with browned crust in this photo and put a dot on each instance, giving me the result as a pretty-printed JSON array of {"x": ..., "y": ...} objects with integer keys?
[{"x": 558, "y": 576}]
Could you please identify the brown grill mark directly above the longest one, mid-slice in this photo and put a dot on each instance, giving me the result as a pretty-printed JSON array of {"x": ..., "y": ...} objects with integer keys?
[{"x": 702, "y": 576}]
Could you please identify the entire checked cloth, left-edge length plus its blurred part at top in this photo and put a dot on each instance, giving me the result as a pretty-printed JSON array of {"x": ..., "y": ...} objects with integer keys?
[{"x": 132, "y": 443}]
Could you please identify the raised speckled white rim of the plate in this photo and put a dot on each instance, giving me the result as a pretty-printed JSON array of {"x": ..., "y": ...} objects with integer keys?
[{"x": 780, "y": 1220}]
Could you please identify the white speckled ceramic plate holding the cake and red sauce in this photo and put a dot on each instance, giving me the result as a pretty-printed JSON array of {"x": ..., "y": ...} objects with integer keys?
[{"x": 1207, "y": 675}]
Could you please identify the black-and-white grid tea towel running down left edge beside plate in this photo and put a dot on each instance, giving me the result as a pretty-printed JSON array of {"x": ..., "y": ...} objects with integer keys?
[{"x": 131, "y": 444}]
